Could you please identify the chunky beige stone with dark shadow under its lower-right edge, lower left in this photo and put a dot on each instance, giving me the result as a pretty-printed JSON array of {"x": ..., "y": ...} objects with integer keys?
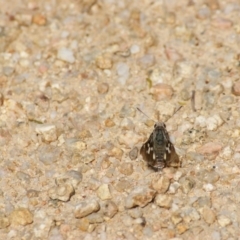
[{"x": 61, "y": 192}]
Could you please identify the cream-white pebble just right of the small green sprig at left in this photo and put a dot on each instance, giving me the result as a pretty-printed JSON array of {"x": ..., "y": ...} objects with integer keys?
[{"x": 48, "y": 131}]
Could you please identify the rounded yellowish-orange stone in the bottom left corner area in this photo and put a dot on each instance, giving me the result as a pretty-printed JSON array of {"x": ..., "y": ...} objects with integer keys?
[{"x": 21, "y": 216}]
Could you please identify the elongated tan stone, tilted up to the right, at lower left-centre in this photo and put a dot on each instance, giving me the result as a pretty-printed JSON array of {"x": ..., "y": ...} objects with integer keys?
[{"x": 85, "y": 208}]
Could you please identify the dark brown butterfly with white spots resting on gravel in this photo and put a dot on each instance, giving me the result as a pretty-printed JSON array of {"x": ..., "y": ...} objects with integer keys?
[{"x": 158, "y": 151}]
